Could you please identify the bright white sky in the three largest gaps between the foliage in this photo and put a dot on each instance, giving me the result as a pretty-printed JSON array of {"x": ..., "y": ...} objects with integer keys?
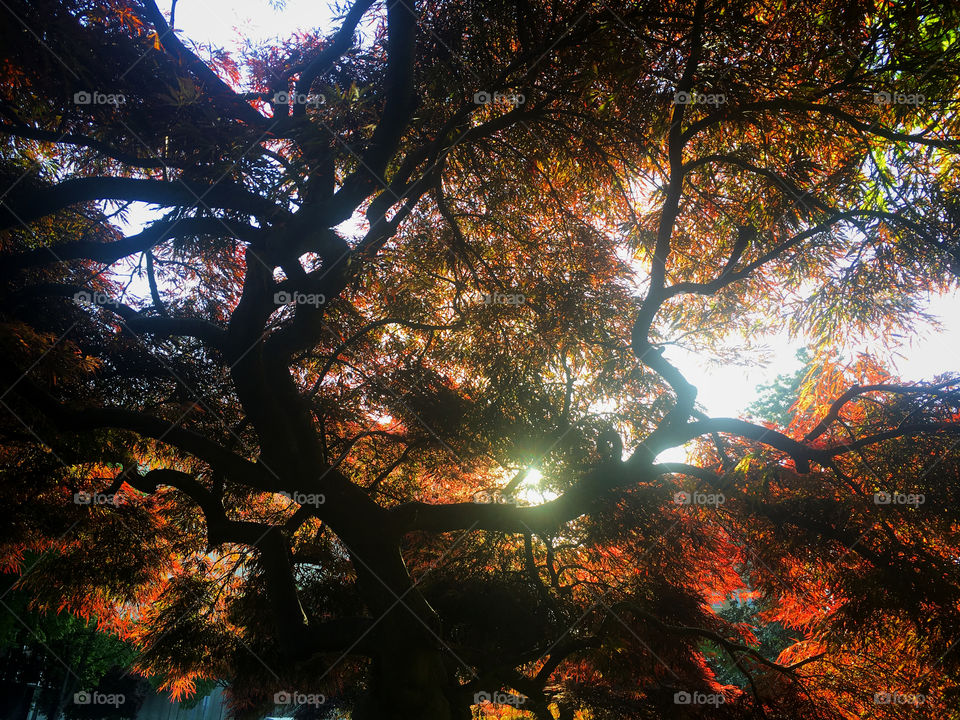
[{"x": 723, "y": 390}]
